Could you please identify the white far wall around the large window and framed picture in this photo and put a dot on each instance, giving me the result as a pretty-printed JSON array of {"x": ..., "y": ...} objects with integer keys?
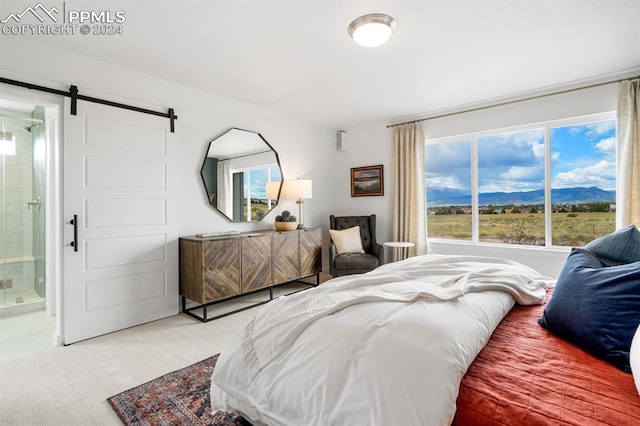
[{"x": 371, "y": 144}]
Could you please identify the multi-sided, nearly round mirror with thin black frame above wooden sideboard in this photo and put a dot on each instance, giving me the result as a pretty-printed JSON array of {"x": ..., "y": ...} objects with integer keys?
[{"x": 242, "y": 175}]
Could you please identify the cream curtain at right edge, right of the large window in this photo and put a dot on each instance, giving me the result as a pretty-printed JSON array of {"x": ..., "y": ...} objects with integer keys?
[{"x": 628, "y": 208}]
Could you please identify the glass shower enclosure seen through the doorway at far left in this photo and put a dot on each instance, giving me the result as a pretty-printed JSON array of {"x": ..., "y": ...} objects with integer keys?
[{"x": 22, "y": 211}]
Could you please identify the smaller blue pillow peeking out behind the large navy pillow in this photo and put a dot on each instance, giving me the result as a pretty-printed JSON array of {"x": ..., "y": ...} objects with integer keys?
[{"x": 617, "y": 248}]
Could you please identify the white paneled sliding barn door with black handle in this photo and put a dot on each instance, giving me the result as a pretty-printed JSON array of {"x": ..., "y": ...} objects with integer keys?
[{"x": 121, "y": 269}]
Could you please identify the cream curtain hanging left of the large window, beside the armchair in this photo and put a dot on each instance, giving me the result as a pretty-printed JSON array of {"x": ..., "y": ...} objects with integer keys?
[{"x": 408, "y": 188}]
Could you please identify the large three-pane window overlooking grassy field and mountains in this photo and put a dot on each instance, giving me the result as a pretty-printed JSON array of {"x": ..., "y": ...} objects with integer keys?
[{"x": 548, "y": 184}]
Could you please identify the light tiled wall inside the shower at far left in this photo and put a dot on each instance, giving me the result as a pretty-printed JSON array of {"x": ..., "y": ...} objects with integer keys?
[{"x": 16, "y": 238}]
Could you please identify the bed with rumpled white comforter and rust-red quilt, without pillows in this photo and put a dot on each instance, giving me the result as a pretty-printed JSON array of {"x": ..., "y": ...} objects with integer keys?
[{"x": 392, "y": 347}]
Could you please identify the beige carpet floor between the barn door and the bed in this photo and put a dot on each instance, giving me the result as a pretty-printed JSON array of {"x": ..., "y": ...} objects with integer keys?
[{"x": 69, "y": 385}]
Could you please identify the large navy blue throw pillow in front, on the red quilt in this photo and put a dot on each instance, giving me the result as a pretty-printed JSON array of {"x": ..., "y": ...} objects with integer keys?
[{"x": 596, "y": 307}]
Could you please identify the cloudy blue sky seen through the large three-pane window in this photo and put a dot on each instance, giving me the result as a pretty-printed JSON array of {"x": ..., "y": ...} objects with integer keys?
[{"x": 581, "y": 155}]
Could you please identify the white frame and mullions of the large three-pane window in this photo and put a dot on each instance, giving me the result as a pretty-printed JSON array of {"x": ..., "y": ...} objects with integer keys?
[{"x": 473, "y": 137}]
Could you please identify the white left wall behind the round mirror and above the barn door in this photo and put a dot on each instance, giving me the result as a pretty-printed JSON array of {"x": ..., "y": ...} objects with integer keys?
[{"x": 305, "y": 149}]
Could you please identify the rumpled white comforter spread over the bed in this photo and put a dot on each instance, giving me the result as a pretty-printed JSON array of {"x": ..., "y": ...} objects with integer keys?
[{"x": 387, "y": 347}]
